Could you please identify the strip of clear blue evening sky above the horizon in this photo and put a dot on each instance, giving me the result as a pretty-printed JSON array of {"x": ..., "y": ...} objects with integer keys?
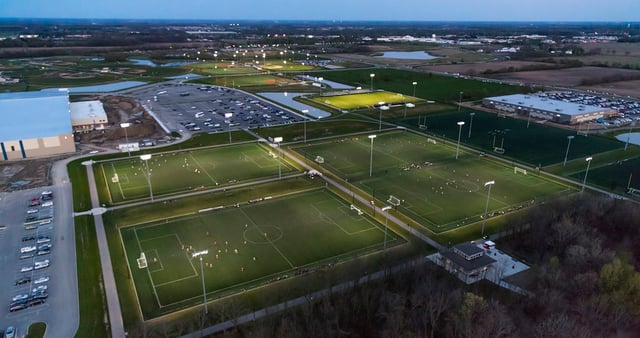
[{"x": 339, "y": 10}]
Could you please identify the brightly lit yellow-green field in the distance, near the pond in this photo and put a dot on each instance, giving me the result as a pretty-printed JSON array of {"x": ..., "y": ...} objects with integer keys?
[{"x": 363, "y": 100}]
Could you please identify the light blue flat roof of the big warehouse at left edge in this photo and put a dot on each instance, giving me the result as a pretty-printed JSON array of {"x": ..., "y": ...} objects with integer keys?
[{"x": 28, "y": 115}]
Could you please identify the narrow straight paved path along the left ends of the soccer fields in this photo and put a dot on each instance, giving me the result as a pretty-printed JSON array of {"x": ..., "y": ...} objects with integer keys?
[{"x": 113, "y": 302}]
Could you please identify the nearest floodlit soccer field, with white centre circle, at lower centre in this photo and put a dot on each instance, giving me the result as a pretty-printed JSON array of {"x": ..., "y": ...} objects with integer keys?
[{"x": 251, "y": 245}]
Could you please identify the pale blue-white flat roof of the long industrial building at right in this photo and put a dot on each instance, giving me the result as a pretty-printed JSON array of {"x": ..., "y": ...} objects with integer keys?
[{"x": 546, "y": 104}]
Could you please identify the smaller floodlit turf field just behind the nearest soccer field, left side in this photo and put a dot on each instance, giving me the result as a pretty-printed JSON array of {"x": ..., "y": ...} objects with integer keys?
[{"x": 183, "y": 171}]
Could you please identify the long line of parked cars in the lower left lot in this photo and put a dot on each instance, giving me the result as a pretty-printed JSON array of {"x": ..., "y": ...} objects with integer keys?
[{"x": 31, "y": 285}]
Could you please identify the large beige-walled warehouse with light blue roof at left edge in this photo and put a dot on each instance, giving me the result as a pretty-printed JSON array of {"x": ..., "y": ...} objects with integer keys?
[{"x": 35, "y": 124}]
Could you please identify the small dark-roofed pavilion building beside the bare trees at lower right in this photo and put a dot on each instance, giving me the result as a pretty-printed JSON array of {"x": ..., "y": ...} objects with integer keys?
[{"x": 467, "y": 261}]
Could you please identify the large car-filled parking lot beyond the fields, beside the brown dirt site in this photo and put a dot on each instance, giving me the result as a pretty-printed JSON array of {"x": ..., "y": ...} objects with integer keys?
[{"x": 203, "y": 108}]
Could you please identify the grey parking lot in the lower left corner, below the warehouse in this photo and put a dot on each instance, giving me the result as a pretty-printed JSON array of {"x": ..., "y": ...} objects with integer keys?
[{"x": 33, "y": 282}]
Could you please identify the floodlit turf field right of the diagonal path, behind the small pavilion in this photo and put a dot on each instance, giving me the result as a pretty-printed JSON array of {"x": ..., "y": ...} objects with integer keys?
[{"x": 437, "y": 190}]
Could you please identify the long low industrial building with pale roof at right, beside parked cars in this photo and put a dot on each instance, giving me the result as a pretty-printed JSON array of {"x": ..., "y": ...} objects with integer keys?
[{"x": 547, "y": 109}]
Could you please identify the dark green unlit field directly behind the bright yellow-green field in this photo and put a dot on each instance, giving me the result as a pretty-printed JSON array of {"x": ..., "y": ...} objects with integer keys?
[{"x": 430, "y": 86}]
